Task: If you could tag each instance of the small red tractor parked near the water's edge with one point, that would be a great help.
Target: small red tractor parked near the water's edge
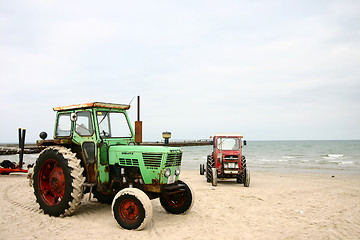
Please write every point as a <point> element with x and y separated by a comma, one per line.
<point>226,160</point>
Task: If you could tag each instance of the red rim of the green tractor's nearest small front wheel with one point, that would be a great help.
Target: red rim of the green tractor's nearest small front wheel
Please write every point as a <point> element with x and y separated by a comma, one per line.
<point>129,211</point>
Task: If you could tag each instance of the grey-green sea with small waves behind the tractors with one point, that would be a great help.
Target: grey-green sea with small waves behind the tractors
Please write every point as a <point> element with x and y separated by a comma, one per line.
<point>328,157</point>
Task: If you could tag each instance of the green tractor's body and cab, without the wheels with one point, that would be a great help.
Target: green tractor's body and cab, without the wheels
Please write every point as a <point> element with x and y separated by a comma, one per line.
<point>103,138</point>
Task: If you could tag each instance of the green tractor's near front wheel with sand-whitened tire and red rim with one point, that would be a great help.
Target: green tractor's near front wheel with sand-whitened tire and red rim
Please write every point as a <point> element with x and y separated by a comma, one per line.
<point>132,209</point>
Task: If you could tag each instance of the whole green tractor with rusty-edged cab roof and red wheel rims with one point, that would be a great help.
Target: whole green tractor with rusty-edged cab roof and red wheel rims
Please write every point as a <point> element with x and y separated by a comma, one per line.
<point>96,150</point>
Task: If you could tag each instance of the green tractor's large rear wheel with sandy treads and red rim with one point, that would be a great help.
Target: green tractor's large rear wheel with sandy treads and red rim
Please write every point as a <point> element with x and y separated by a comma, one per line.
<point>58,180</point>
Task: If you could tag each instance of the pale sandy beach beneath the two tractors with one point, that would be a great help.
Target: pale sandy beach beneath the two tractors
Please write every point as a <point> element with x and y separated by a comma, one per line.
<point>275,206</point>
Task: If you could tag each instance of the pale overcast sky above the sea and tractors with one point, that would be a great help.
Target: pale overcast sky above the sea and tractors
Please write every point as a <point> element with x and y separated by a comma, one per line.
<point>270,70</point>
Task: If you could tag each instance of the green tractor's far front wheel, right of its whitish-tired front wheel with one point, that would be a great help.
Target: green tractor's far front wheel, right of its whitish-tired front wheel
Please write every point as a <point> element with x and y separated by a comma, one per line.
<point>179,203</point>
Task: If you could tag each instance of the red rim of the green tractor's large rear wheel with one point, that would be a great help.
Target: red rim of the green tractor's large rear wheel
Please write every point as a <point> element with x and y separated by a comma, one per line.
<point>51,182</point>
